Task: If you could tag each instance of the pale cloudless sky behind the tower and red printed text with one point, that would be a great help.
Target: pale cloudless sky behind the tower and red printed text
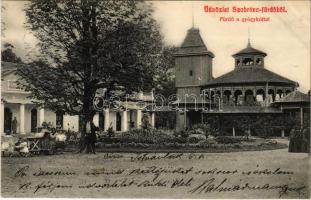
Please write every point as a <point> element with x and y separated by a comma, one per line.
<point>285,38</point>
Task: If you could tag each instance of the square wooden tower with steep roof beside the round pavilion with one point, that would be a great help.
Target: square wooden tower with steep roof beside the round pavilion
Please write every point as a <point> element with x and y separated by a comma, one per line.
<point>193,69</point>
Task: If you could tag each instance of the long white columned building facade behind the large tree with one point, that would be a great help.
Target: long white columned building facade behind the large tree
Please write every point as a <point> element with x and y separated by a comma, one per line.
<point>20,115</point>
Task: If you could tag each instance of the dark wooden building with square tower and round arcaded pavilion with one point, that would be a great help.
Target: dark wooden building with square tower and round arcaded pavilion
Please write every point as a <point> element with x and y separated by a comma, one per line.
<point>248,90</point>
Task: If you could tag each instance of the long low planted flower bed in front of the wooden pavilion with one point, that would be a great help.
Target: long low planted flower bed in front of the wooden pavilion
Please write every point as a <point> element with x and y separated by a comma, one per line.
<point>157,141</point>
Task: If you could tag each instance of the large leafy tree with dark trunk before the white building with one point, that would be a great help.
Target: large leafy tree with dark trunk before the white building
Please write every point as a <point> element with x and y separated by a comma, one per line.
<point>88,45</point>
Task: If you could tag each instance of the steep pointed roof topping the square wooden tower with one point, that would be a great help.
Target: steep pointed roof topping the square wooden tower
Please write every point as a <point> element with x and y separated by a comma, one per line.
<point>193,44</point>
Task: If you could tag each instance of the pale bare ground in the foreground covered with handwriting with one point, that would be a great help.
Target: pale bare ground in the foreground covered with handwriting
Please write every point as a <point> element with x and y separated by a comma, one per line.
<point>249,174</point>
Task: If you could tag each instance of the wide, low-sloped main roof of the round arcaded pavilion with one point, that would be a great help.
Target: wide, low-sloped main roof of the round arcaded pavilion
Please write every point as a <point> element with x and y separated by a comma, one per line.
<point>244,75</point>
